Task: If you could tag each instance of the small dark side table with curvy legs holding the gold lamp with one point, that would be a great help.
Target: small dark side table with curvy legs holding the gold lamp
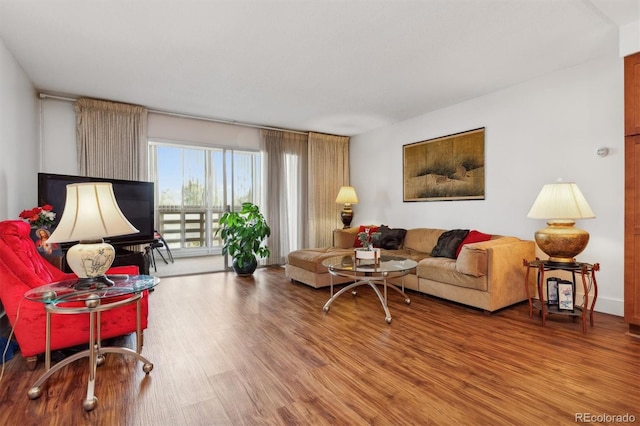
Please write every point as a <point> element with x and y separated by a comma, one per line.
<point>587,274</point>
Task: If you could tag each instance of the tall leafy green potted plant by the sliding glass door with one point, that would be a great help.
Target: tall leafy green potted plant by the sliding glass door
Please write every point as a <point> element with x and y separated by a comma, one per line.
<point>243,234</point>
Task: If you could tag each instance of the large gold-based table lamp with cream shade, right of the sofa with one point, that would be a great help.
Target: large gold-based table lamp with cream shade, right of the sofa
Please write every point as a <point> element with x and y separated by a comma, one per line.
<point>561,203</point>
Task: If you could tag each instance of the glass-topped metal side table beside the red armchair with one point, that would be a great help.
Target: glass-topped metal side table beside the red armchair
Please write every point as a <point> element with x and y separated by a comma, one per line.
<point>127,289</point>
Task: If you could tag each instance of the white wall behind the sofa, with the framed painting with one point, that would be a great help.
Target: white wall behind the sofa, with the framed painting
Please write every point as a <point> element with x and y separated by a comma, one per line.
<point>535,132</point>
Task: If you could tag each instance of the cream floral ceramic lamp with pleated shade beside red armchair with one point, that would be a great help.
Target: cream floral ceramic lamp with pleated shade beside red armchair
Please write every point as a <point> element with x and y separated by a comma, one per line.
<point>90,214</point>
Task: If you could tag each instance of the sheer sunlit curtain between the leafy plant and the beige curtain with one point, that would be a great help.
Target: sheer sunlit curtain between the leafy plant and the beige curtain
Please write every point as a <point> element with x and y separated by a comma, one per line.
<point>285,203</point>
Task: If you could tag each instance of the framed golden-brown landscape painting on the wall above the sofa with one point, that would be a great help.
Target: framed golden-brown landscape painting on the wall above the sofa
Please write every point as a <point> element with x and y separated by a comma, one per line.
<point>446,168</point>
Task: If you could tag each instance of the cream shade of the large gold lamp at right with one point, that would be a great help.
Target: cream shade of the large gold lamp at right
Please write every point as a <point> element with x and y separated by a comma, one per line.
<point>561,201</point>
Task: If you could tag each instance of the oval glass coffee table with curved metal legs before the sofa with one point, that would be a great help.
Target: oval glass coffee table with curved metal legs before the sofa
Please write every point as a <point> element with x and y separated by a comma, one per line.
<point>367,272</point>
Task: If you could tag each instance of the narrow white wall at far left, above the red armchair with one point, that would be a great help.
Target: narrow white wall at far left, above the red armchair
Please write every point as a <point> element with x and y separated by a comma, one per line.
<point>19,149</point>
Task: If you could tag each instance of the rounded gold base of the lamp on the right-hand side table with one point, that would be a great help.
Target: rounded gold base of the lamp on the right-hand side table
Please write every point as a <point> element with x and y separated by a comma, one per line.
<point>561,241</point>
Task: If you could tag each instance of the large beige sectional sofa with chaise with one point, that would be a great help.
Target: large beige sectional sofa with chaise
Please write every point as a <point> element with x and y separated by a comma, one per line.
<point>488,275</point>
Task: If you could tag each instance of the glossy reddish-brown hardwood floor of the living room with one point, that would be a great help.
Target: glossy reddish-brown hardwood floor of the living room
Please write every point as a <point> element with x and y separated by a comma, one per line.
<point>260,350</point>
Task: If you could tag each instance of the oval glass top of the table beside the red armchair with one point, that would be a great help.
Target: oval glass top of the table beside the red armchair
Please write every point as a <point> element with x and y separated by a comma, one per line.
<point>64,291</point>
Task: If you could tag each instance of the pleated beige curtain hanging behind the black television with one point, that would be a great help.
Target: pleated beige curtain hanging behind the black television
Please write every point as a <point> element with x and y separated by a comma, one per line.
<point>111,139</point>
